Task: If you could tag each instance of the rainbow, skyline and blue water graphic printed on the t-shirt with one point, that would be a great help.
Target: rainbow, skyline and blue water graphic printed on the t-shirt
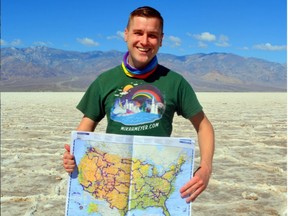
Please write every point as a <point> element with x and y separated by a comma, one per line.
<point>139,104</point>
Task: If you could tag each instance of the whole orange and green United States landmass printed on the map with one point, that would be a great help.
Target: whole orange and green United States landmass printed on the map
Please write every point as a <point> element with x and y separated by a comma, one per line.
<point>107,176</point>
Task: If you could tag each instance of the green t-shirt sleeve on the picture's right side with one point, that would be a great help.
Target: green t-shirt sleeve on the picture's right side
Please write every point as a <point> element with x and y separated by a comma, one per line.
<point>188,104</point>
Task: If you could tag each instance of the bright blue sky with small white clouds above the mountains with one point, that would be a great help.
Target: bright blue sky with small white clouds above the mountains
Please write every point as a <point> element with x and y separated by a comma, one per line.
<point>249,28</point>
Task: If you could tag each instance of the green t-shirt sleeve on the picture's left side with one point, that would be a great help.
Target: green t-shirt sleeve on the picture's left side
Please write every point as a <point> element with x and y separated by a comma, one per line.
<point>91,104</point>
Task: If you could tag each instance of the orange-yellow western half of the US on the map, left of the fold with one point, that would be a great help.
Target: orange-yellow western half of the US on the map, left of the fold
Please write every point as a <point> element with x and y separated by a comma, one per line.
<point>106,177</point>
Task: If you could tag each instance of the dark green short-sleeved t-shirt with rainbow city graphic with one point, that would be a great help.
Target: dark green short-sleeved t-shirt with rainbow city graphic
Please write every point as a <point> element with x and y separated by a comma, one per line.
<point>139,107</point>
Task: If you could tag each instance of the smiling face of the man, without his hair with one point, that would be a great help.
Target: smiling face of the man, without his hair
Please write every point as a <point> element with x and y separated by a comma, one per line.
<point>144,38</point>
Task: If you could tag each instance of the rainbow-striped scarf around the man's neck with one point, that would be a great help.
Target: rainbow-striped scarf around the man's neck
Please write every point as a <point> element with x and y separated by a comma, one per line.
<point>139,73</point>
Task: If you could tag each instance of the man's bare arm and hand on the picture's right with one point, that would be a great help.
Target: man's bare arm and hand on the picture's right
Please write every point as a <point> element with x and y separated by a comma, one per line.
<point>200,180</point>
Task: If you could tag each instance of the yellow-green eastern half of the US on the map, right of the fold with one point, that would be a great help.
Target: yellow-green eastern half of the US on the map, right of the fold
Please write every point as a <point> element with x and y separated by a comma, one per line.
<point>149,189</point>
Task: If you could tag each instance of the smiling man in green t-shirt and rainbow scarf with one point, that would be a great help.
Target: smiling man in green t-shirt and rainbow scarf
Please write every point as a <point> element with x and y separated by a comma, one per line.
<point>140,97</point>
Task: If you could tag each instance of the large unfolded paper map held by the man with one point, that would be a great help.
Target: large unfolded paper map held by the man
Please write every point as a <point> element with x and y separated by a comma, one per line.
<point>129,175</point>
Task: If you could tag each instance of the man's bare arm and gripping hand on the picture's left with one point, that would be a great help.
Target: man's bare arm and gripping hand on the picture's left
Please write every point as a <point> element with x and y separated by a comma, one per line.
<point>86,124</point>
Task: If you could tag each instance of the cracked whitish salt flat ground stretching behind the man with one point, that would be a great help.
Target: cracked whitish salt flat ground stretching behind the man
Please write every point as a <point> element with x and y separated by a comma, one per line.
<point>250,163</point>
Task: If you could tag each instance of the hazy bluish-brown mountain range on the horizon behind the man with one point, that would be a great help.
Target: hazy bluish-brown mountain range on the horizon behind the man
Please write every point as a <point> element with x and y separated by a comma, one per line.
<point>47,69</point>
